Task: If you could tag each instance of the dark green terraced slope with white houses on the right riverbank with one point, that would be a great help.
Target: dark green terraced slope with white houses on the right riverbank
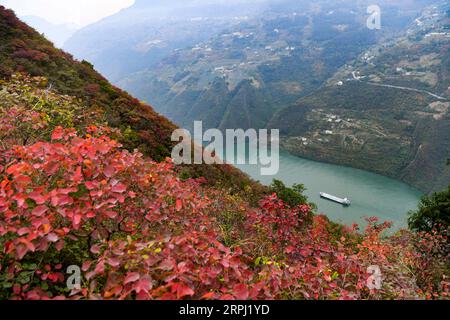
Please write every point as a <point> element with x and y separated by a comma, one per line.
<point>404,142</point>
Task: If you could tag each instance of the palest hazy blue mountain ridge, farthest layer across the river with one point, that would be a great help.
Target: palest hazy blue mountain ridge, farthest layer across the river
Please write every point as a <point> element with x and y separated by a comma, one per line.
<point>138,37</point>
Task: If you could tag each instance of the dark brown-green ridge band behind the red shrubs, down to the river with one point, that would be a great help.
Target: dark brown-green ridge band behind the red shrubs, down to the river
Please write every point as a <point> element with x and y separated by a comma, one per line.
<point>24,50</point>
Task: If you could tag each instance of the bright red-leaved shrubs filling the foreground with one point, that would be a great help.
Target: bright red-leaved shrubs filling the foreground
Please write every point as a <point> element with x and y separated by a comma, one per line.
<point>149,235</point>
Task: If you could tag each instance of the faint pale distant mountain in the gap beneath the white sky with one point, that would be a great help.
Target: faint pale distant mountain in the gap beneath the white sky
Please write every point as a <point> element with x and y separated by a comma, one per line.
<point>57,33</point>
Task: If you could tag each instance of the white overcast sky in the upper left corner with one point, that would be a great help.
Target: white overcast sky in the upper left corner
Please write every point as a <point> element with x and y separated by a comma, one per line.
<point>75,12</point>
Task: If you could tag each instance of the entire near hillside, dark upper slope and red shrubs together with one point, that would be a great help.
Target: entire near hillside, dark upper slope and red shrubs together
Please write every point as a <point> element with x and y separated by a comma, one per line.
<point>75,192</point>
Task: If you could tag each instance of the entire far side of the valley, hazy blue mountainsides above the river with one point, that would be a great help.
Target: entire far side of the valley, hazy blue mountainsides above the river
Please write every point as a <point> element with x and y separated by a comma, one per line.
<point>340,93</point>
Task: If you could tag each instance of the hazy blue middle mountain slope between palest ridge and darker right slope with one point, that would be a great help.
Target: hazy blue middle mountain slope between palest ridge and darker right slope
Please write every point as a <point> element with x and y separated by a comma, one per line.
<point>242,76</point>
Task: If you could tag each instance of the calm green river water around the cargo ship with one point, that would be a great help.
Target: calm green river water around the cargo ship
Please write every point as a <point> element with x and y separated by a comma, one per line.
<point>371,194</point>
